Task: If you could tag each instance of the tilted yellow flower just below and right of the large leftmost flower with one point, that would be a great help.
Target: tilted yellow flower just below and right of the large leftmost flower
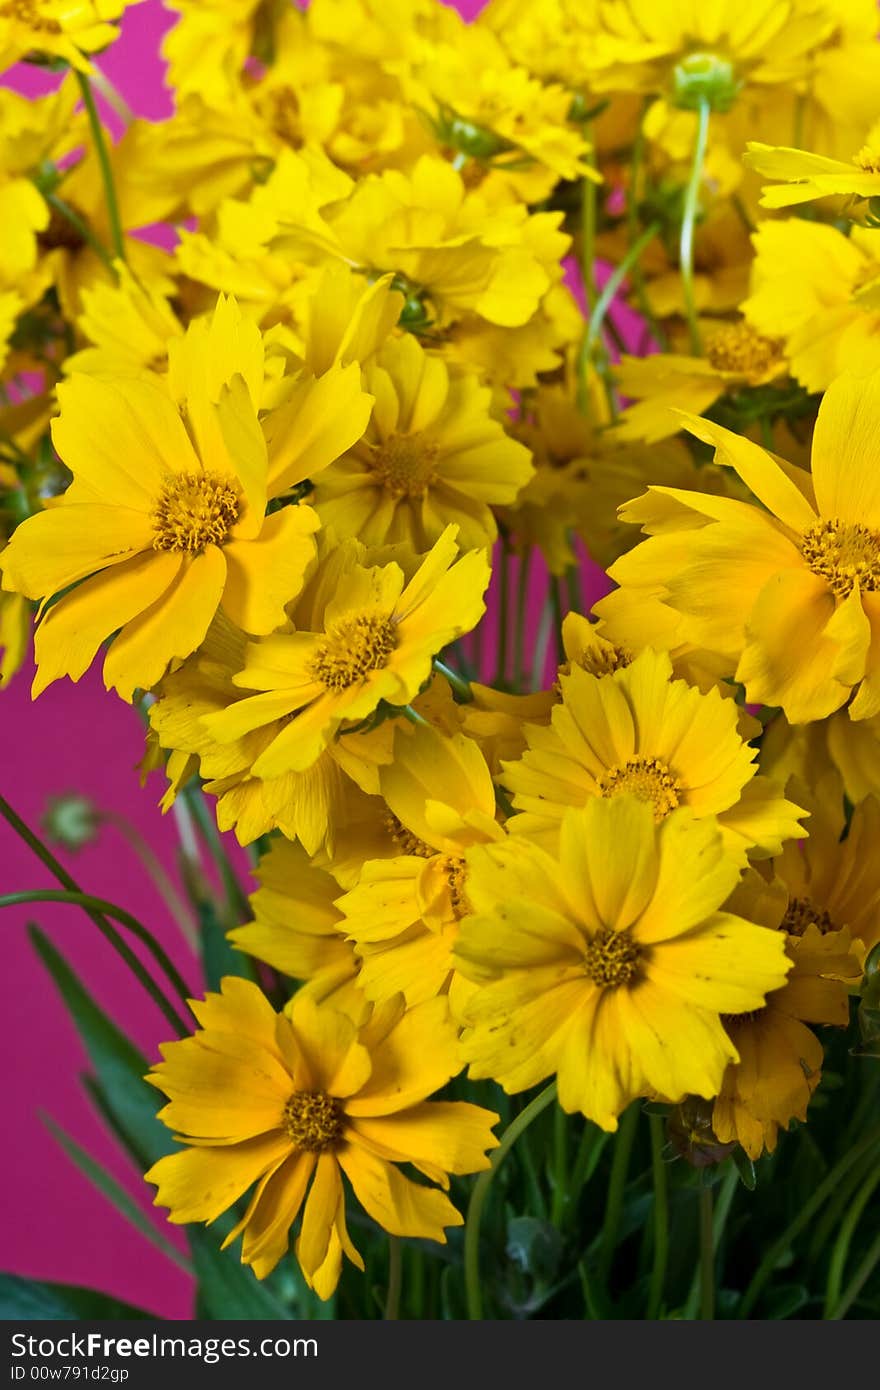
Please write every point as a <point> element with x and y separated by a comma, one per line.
<point>377,641</point>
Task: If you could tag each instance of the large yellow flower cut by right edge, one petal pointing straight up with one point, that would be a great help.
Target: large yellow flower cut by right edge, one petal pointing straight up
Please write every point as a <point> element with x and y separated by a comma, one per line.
<point>785,591</point>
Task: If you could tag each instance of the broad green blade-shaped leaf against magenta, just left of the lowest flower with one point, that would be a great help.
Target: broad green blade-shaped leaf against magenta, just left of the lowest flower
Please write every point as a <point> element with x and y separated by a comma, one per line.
<point>119,1065</point>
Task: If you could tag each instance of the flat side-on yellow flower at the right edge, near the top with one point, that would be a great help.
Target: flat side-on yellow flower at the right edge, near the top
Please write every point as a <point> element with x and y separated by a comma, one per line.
<point>807,176</point>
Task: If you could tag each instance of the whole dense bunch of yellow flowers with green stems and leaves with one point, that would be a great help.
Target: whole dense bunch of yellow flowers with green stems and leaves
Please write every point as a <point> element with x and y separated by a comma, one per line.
<point>562,957</point>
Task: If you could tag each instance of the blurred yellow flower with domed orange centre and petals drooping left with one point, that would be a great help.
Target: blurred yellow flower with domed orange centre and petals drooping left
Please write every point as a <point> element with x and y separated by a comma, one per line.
<point>736,357</point>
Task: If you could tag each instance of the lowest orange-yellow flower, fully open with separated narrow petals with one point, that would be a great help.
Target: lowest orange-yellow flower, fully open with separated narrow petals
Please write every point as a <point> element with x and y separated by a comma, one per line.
<point>291,1103</point>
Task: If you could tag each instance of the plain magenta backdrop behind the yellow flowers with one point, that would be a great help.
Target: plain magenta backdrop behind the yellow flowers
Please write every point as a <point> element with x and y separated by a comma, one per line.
<point>80,739</point>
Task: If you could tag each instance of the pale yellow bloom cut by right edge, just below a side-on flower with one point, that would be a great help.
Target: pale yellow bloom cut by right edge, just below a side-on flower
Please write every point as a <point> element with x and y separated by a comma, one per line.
<point>818,291</point>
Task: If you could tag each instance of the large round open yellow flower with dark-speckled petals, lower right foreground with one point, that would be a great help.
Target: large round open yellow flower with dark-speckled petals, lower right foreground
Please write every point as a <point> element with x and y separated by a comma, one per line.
<point>611,963</point>
